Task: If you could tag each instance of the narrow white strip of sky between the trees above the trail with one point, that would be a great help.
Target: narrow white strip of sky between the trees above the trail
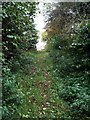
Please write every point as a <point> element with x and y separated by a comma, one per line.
<point>40,24</point>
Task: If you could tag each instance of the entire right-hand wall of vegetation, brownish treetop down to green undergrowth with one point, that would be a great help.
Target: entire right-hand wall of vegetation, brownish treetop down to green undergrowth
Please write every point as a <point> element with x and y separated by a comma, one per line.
<point>69,49</point>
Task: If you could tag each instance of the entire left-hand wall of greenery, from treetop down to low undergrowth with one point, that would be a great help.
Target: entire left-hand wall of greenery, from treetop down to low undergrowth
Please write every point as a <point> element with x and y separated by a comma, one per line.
<point>18,35</point>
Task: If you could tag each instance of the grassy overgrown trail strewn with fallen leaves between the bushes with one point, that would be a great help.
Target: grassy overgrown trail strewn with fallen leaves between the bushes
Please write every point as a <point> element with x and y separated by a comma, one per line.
<point>38,87</point>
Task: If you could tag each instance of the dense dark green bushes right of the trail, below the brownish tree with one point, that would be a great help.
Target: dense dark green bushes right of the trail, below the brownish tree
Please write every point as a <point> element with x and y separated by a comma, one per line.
<point>71,62</point>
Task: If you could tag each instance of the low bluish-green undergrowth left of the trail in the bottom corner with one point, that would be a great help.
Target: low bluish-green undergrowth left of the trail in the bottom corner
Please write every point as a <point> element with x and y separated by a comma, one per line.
<point>12,96</point>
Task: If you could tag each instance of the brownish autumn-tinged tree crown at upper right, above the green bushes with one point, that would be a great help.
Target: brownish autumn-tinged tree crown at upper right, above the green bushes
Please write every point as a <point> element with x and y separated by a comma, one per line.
<point>65,17</point>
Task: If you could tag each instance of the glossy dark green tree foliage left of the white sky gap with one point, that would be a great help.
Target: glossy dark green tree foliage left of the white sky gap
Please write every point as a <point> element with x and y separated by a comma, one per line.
<point>18,28</point>
